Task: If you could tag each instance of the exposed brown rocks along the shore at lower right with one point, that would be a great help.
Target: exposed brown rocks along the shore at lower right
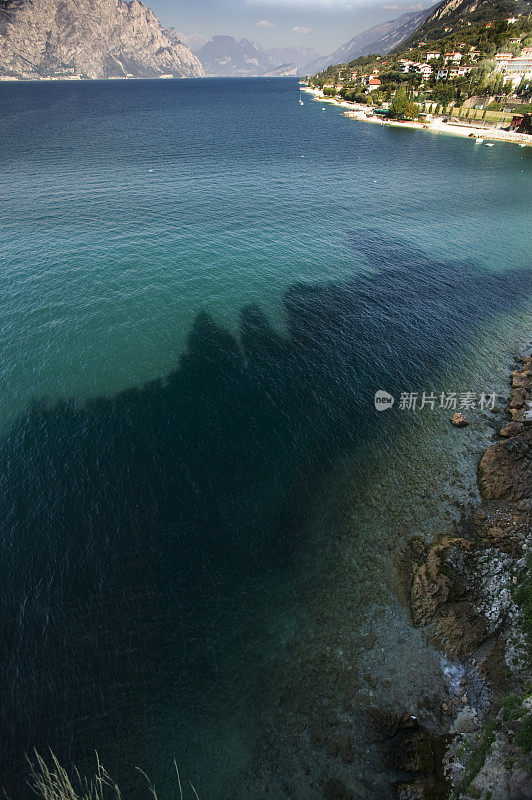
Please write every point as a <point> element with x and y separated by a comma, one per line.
<point>470,592</point>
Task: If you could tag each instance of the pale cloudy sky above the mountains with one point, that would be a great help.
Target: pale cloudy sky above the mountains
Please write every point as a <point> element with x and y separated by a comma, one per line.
<point>321,24</point>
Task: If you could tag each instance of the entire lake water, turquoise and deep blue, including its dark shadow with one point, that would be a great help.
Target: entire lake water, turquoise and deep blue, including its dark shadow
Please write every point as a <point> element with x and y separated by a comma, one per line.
<point>203,284</point>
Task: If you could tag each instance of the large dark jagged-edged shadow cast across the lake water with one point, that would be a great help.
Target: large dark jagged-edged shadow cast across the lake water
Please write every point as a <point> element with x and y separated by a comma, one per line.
<point>134,525</point>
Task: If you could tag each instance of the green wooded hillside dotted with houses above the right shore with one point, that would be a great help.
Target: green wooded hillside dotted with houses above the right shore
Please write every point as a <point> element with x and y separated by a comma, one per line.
<point>471,38</point>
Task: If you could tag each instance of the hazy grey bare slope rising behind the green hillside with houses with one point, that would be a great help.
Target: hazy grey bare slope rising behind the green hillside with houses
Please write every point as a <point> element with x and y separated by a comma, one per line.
<point>378,39</point>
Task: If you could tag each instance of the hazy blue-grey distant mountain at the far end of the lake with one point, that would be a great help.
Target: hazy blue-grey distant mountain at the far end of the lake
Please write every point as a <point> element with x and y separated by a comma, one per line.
<point>227,56</point>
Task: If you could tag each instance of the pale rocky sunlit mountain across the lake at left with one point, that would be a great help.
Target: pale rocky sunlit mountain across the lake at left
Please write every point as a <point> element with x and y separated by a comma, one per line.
<point>88,38</point>
